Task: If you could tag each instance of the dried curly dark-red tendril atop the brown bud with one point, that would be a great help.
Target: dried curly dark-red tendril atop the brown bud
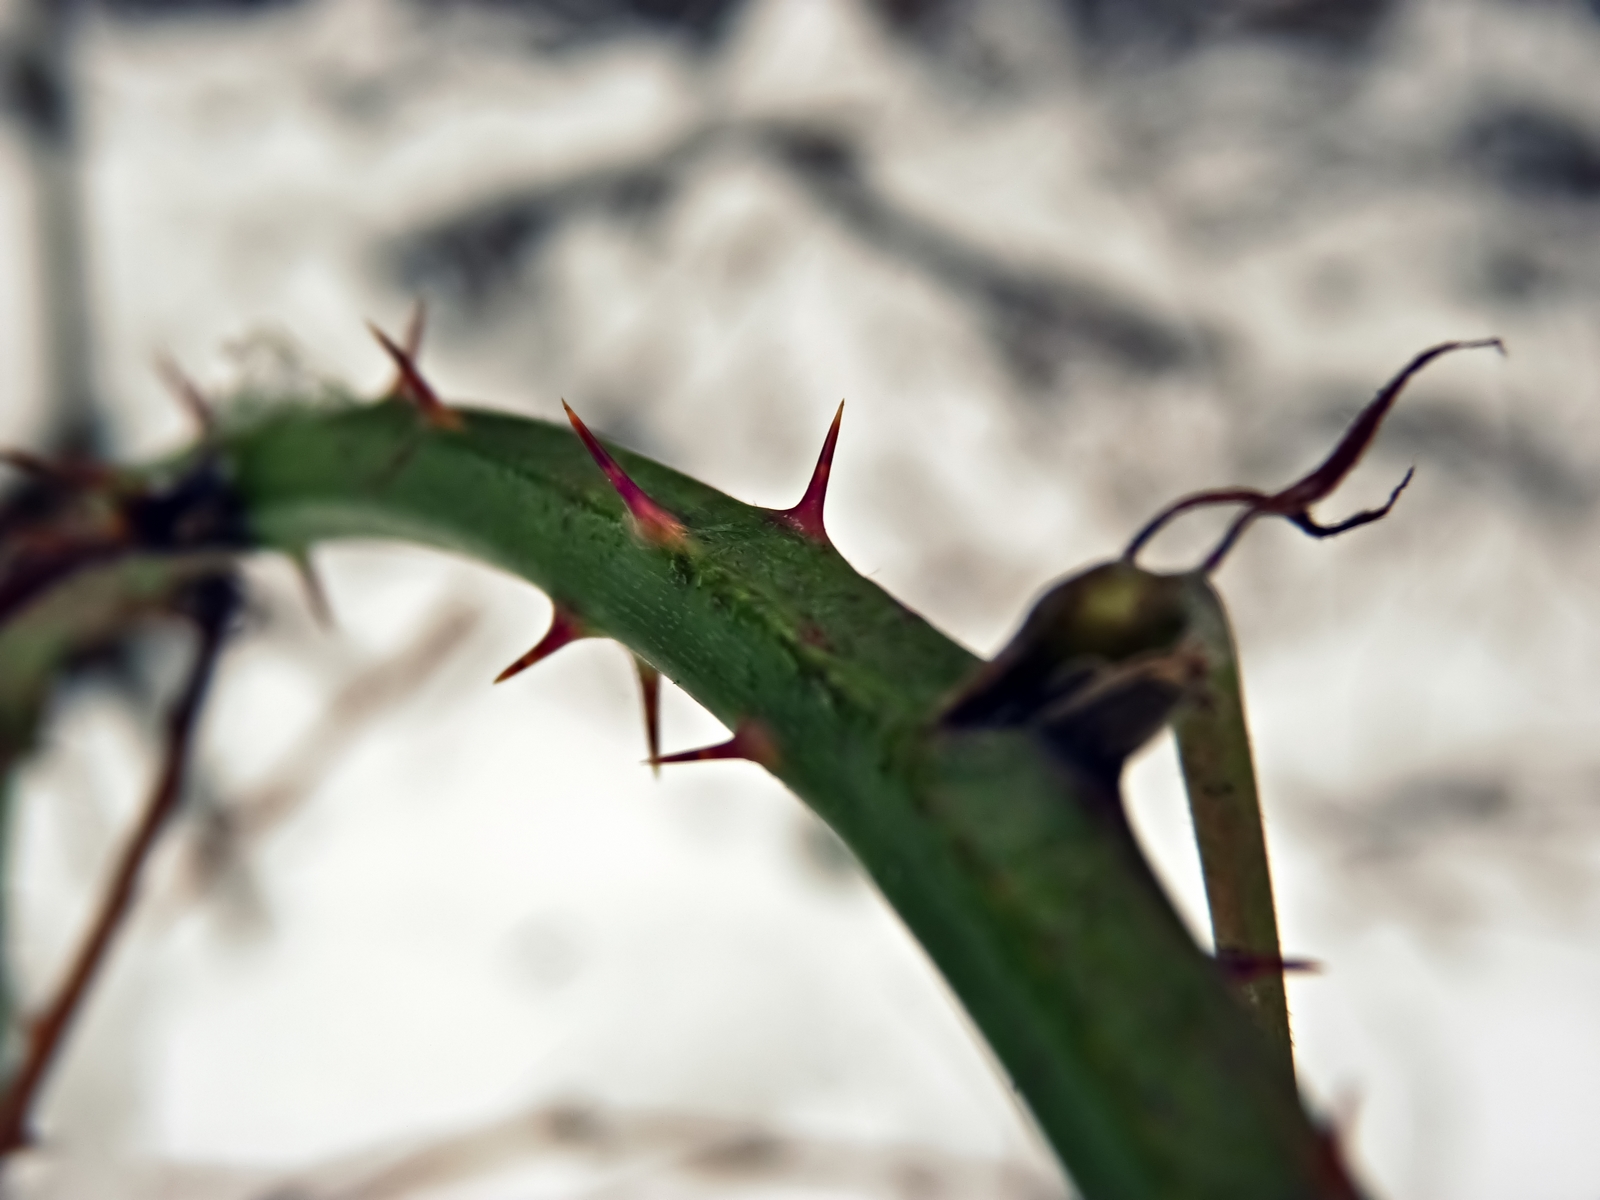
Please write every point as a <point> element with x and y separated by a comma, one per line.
<point>1294,503</point>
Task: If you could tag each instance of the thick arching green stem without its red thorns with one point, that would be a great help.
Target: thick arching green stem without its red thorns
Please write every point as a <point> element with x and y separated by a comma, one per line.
<point>1143,1071</point>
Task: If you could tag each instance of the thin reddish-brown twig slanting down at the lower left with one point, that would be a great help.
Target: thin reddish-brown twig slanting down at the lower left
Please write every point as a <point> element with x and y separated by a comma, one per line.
<point>217,599</point>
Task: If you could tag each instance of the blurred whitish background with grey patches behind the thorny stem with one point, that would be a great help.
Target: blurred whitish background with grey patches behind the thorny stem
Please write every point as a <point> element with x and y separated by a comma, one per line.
<point>1065,260</point>
